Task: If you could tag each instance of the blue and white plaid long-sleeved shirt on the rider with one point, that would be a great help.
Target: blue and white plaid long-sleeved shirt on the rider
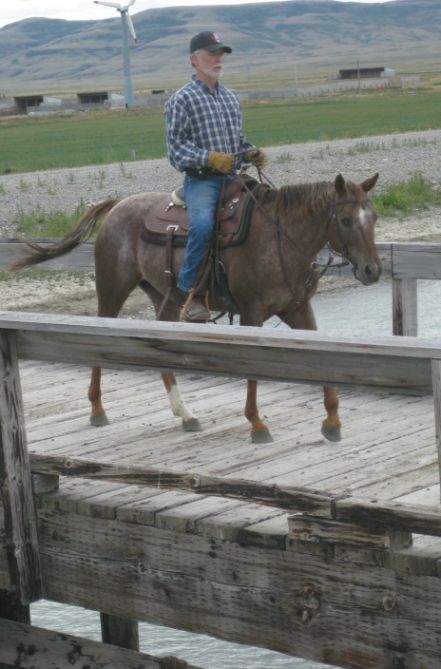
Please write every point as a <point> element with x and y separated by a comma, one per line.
<point>198,121</point>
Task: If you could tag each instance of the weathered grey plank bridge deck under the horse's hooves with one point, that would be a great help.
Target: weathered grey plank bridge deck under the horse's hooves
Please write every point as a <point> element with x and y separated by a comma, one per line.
<point>388,450</point>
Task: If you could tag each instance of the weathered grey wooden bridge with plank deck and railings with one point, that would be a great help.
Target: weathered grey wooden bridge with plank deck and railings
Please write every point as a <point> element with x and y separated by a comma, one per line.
<point>330,552</point>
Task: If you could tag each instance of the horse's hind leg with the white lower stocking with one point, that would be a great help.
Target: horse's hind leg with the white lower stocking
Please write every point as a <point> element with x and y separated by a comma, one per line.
<point>171,313</point>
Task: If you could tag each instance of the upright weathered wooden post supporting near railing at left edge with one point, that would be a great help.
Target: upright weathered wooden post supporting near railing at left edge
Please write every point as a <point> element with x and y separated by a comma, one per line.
<point>20,534</point>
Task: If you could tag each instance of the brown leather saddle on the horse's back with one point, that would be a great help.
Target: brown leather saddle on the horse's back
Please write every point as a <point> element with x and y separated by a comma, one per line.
<point>167,225</point>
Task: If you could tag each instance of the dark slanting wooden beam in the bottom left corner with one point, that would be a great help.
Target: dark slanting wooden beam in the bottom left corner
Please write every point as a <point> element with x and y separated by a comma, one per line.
<point>33,647</point>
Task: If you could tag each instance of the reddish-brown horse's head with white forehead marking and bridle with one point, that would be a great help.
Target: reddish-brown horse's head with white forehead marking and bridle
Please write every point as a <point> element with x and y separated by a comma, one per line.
<point>351,225</point>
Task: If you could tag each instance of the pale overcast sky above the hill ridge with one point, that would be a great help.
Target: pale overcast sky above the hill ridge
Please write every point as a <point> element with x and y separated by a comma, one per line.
<point>16,10</point>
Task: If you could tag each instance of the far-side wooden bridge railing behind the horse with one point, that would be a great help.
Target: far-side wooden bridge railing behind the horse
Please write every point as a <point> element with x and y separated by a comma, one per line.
<point>405,263</point>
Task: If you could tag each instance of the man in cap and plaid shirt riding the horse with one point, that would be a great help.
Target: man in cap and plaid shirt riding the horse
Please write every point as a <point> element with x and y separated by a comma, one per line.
<point>204,137</point>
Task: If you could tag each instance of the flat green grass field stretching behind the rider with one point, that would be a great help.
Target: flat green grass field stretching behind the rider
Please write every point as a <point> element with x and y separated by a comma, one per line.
<point>38,143</point>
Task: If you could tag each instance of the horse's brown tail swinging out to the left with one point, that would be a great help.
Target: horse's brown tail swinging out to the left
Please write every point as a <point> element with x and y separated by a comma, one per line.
<point>82,231</point>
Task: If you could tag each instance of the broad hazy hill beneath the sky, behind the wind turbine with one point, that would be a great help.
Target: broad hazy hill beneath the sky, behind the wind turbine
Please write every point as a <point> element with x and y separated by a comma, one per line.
<point>272,41</point>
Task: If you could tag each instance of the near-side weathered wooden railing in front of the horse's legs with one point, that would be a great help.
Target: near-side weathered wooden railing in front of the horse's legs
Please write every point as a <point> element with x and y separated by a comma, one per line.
<point>301,356</point>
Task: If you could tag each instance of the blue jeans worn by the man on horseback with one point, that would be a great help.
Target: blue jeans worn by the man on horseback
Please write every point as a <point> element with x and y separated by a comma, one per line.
<point>201,196</point>
